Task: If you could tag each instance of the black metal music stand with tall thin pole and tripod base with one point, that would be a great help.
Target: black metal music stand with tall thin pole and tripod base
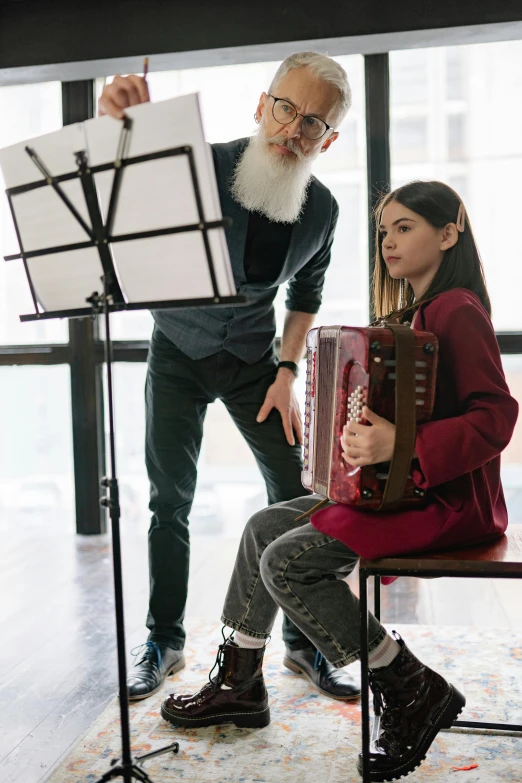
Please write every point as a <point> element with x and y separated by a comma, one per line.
<point>108,300</point>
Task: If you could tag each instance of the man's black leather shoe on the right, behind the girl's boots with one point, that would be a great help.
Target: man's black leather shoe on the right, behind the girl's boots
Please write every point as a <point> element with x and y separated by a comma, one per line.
<point>332,682</point>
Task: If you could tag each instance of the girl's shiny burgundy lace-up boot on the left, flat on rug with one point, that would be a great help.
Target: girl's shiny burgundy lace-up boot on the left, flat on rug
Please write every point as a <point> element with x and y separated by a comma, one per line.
<point>237,694</point>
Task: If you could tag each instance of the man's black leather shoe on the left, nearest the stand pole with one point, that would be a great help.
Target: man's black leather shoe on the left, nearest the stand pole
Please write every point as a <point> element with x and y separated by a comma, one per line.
<point>154,663</point>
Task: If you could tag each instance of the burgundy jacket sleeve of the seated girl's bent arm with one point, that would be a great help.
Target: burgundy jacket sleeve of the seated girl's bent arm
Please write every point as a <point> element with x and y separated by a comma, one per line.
<point>450,448</point>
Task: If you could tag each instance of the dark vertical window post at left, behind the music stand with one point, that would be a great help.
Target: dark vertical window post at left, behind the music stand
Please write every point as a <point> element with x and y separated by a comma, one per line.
<point>86,371</point>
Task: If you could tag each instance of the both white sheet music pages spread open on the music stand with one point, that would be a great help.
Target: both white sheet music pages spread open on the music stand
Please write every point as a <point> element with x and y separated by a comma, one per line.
<point>153,195</point>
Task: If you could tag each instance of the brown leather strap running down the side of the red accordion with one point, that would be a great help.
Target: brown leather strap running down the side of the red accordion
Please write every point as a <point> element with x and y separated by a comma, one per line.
<point>405,415</point>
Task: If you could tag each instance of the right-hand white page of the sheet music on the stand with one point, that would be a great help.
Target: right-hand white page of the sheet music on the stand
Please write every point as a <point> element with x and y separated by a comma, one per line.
<point>159,194</point>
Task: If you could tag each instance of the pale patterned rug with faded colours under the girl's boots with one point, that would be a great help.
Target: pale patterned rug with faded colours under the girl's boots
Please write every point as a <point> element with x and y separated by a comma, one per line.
<point>313,739</point>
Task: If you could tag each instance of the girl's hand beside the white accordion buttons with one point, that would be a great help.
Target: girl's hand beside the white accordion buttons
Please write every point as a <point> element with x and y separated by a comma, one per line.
<point>364,445</point>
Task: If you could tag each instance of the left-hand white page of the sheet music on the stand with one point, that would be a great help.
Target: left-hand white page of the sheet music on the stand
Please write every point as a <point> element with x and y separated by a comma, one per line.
<point>60,280</point>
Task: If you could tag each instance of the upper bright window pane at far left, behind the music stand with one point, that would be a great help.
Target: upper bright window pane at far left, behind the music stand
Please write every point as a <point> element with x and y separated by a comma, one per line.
<point>32,110</point>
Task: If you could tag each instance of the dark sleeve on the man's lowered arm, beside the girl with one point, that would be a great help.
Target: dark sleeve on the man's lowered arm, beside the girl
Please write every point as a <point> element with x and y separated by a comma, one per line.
<point>305,289</point>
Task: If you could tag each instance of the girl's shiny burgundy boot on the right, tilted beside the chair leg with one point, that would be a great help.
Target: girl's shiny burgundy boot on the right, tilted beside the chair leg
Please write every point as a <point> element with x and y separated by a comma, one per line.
<point>416,703</point>
